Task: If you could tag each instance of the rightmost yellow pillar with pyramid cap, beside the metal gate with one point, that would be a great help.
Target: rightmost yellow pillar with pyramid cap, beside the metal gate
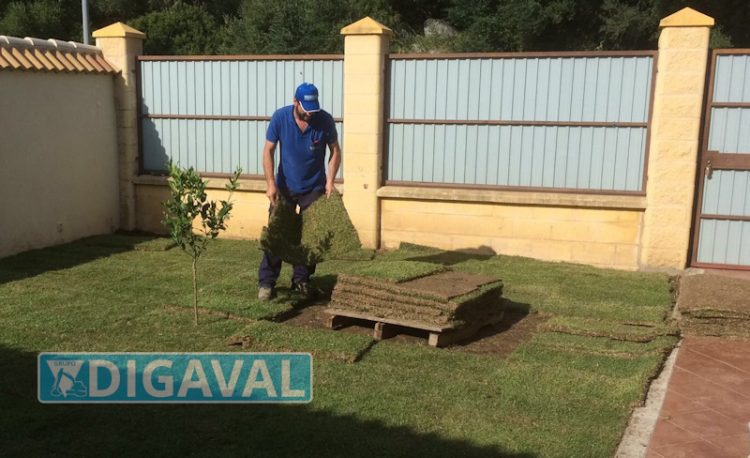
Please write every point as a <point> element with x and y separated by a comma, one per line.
<point>675,139</point>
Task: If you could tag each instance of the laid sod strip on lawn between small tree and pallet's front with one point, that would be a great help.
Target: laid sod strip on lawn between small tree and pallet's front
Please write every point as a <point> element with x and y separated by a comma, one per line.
<point>276,337</point>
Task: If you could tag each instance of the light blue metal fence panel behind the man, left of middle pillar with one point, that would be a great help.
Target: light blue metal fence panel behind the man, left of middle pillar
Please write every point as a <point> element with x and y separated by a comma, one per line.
<point>192,110</point>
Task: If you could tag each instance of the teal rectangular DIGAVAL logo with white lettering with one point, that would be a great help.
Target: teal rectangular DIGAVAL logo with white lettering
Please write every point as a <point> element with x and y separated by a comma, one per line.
<point>174,377</point>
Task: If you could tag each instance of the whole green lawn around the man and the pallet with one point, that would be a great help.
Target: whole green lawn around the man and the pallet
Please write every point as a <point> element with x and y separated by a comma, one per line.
<point>568,391</point>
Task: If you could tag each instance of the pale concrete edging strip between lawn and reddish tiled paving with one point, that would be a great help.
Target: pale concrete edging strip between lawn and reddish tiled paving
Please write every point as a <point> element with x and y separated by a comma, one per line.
<point>641,425</point>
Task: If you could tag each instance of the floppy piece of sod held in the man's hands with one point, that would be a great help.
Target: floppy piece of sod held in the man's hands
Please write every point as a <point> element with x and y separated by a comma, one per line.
<point>323,231</point>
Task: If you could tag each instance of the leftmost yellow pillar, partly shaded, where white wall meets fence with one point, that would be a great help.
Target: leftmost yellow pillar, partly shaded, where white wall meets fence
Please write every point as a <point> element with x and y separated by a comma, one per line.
<point>120,44</point>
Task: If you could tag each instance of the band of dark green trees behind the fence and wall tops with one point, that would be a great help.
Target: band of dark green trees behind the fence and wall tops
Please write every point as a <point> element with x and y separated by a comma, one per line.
<point>312,26</point>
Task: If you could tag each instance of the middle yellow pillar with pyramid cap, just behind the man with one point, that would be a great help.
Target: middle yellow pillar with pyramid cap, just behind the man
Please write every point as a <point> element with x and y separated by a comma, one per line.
<point>366,45</point>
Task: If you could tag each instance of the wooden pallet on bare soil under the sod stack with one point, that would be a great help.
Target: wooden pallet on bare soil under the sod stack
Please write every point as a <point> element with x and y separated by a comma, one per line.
<point>385,328</point>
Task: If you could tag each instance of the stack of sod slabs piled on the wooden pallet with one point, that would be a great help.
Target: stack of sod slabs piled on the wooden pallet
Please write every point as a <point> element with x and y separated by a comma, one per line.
<point>418,293</point>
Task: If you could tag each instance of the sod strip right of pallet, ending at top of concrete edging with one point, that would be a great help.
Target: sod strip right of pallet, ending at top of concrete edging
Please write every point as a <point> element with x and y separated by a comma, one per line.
<point>604,345</point>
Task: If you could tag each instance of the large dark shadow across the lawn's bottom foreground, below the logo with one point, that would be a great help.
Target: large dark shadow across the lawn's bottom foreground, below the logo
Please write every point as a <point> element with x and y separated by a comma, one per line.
<point>30,428</point>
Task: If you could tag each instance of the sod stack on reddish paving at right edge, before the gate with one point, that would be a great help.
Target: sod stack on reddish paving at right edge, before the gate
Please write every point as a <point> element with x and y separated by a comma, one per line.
<point>714,305</point>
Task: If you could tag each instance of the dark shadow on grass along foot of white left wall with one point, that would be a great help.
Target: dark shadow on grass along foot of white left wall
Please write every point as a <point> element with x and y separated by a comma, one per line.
<point>60,257</point>
